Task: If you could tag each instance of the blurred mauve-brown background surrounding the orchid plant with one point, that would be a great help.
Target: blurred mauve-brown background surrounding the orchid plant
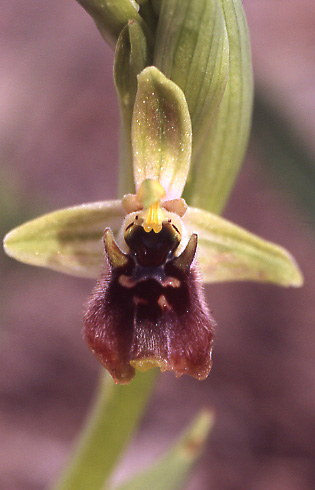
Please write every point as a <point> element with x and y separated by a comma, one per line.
<point>59,147</point>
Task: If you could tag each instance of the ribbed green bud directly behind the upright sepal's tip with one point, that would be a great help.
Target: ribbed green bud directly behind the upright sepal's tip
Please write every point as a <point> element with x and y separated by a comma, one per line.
<point>192,50</point>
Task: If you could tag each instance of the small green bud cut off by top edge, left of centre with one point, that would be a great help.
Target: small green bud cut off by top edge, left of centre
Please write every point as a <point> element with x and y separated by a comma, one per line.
<point>112,16</point>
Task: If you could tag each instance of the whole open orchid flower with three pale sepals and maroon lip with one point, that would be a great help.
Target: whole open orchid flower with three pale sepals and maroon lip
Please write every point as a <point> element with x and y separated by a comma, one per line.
<point>148,307</point>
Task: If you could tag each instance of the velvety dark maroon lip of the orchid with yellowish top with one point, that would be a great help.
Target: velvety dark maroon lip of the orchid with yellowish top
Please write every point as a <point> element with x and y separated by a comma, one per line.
<point>148,307</point>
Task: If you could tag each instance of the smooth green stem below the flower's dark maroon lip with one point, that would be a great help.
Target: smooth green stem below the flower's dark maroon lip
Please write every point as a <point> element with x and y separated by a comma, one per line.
<point>109,428</point>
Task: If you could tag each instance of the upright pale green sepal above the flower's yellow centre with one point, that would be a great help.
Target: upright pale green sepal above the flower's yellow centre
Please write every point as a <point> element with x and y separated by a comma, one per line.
<point>161,133</point>
